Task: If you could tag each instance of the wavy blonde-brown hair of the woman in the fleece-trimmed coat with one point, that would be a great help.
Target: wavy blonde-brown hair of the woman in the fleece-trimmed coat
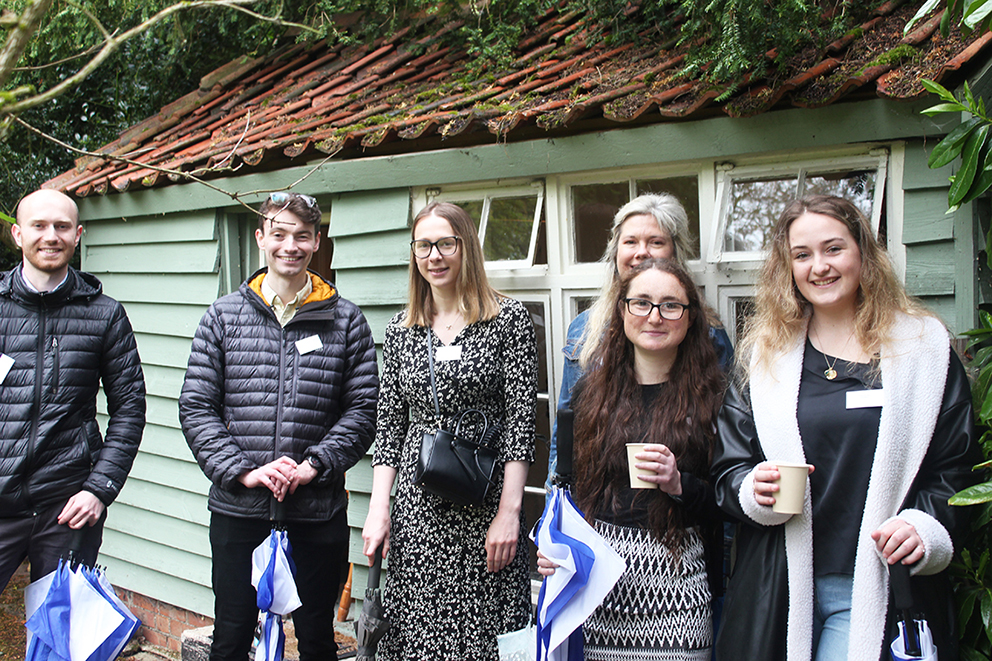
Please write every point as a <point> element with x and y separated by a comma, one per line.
<point>781,312</point>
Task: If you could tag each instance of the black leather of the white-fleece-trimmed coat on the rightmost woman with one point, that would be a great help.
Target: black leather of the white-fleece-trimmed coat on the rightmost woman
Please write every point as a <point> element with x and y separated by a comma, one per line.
<point>755,613</point>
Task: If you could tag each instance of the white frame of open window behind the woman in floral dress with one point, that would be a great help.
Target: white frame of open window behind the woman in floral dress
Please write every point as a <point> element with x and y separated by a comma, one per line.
<point>486,193</point>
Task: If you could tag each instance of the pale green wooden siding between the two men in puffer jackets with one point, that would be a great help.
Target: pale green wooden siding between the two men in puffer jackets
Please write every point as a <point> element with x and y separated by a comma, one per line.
<point>163,269</point>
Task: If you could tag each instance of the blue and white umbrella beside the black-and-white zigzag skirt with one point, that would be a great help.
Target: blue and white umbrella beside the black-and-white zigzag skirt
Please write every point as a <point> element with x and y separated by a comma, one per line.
<point>588,567</point>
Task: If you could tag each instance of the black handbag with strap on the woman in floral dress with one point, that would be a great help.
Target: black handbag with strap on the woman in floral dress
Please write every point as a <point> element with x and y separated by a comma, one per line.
<point>451,465</point>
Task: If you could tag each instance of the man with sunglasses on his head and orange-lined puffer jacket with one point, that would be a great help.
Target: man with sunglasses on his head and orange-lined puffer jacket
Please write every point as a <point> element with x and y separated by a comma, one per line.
<point>279,401</point>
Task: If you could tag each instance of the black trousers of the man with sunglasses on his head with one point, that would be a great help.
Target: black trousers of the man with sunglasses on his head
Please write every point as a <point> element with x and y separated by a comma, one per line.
<point>319,549</point>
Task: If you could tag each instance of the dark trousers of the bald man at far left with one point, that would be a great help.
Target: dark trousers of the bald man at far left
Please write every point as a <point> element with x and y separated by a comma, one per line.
<point>42,540</point>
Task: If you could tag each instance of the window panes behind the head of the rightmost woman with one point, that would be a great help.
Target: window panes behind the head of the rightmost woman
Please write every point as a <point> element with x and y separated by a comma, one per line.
<point>756,204</point>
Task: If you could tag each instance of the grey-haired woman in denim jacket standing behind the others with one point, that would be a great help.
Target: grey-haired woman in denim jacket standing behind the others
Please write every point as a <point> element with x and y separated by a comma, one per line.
<point>651,226</point>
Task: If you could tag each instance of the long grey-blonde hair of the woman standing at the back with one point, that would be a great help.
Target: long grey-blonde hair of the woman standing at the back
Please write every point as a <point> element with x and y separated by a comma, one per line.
<point>672,219</point>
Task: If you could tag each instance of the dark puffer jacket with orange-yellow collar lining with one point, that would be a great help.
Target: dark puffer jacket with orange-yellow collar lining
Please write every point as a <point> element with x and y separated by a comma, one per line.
<point>251,396</point>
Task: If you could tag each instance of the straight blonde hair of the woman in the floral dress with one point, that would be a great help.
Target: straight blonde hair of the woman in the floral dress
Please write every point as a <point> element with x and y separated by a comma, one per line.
<point>477,300</point>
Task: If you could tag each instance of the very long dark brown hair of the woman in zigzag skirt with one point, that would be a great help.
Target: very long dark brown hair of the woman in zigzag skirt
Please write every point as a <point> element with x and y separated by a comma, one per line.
<point>610,411</point>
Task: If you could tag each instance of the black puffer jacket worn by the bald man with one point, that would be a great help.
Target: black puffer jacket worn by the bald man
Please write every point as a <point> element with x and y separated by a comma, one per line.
<point>63,343</point>
